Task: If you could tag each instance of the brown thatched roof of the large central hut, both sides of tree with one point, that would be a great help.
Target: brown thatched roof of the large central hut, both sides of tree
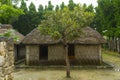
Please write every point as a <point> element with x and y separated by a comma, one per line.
<point>89,36</point>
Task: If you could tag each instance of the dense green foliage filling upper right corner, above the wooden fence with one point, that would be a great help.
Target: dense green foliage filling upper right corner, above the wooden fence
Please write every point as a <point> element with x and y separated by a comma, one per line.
<point>107,19</point>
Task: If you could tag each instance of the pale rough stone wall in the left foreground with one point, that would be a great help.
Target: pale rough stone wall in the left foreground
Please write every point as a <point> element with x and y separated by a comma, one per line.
<point>6,59</point>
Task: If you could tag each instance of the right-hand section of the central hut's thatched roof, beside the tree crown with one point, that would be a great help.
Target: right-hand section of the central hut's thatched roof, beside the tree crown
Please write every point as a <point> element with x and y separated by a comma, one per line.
<point>90,36</point>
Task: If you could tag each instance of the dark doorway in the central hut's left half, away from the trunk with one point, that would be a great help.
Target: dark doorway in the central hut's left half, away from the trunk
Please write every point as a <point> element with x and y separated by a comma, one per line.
<point>43,55</point>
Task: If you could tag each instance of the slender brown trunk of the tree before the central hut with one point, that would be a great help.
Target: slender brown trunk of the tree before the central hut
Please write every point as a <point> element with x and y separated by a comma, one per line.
<point>67,59</point>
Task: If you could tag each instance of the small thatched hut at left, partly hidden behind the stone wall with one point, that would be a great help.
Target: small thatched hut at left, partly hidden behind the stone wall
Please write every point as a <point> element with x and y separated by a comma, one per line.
<point>18,48</point>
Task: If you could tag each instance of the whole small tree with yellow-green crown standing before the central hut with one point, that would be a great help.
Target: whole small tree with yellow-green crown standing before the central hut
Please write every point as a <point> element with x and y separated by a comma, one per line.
<point>66,25</point>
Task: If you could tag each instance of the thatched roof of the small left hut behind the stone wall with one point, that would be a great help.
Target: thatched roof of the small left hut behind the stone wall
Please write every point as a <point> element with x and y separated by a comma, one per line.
<point>5,27</point>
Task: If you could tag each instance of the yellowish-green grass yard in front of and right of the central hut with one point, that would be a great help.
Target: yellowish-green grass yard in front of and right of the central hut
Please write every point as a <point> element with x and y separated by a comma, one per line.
<point>77,74</point>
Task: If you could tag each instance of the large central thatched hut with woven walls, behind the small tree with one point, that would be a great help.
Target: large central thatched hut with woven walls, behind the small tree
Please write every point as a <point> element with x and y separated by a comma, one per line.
<point>84,50</point>
